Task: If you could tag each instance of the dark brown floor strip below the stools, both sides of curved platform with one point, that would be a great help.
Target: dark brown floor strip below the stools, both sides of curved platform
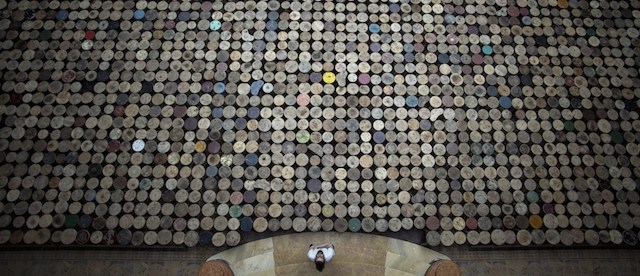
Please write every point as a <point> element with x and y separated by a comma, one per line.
<point>539,261</point>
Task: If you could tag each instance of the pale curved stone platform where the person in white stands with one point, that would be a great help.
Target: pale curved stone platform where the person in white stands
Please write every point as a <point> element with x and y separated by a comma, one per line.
<point>356,254</point>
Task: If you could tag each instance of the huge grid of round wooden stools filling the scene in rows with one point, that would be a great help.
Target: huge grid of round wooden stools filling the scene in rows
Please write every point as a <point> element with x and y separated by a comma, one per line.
<point>183,123</point>
